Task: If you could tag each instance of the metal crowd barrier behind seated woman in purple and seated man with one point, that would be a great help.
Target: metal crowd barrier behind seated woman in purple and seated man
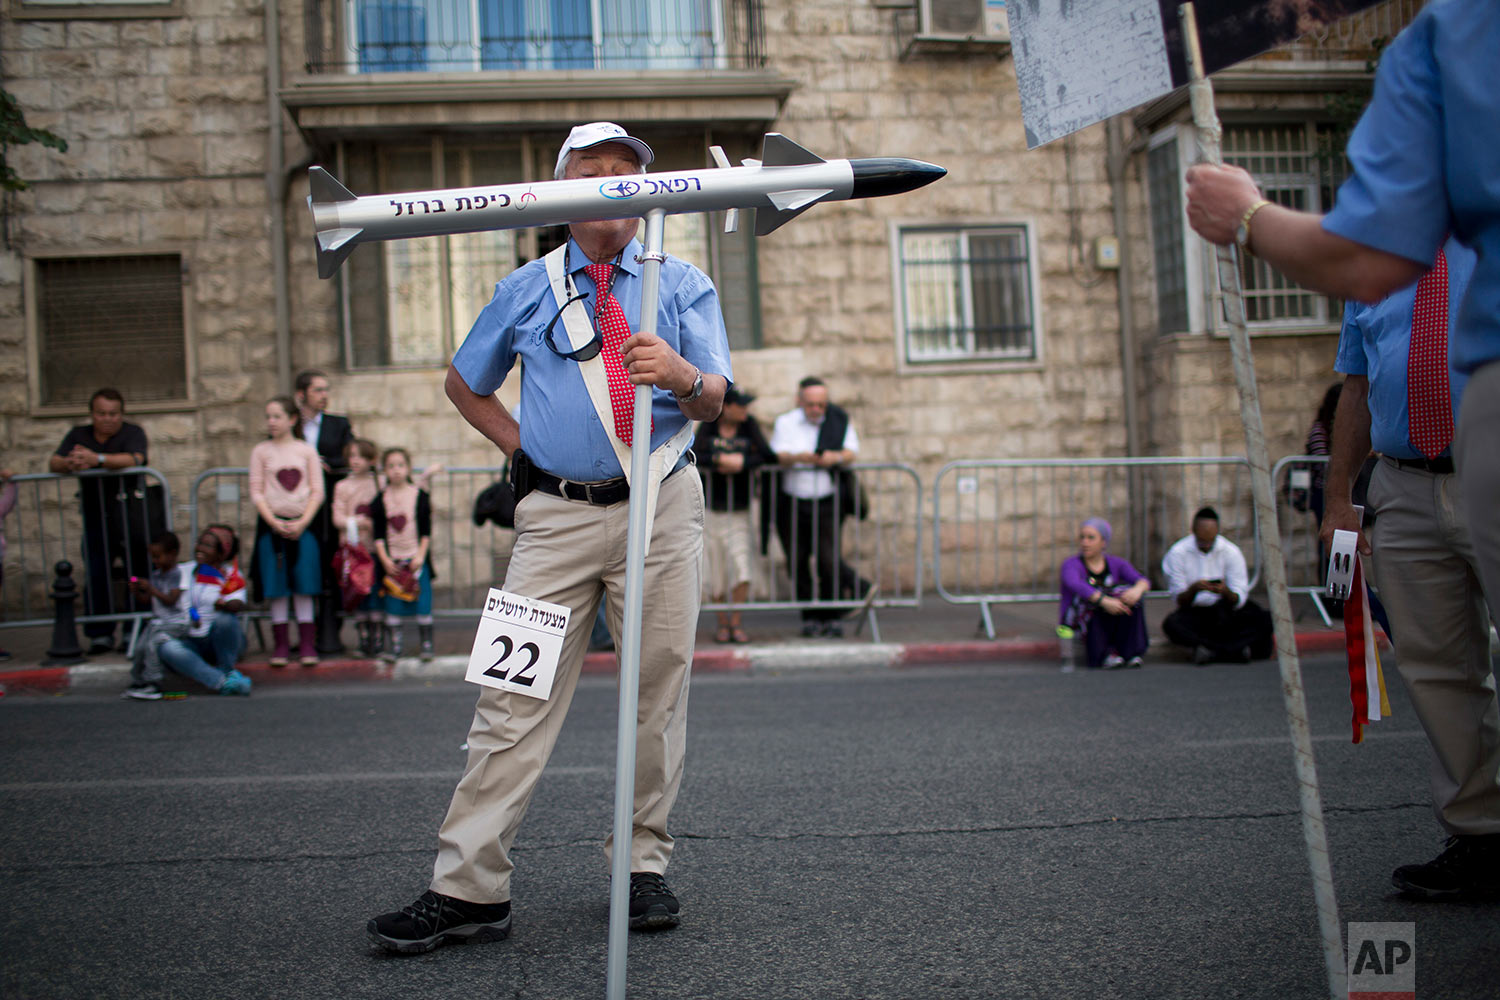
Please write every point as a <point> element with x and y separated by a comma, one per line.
<point>1003,527</point>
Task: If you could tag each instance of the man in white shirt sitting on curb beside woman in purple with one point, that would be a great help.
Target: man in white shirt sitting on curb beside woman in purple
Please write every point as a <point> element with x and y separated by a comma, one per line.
<point>1214,617</point>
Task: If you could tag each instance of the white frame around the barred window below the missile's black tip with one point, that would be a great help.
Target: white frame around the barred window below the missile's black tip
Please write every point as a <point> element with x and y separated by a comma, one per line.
<point>967,365</point>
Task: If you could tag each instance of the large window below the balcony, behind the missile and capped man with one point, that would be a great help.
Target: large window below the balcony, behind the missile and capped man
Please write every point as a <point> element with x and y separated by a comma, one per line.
<point>410,304</point>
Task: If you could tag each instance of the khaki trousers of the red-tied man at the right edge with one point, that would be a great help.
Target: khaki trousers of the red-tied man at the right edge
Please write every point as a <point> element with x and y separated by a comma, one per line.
<point>1430,585</point>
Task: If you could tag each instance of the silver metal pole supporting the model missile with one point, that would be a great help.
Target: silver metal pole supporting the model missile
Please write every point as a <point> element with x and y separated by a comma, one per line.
<point>631,641</point>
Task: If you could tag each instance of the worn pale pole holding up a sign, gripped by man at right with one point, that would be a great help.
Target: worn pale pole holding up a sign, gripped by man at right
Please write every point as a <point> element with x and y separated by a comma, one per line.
<point>1292,695</point>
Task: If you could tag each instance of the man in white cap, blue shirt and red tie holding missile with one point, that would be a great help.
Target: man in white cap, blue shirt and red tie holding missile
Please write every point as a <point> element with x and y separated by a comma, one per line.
<point>566,319</point>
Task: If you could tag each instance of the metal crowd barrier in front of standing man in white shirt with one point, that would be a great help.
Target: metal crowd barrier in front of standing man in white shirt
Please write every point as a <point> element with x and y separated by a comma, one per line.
<point>877,531</point>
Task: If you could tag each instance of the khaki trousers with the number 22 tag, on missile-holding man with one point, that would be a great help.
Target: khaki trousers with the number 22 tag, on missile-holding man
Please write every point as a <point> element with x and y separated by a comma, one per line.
<point>574,554</point>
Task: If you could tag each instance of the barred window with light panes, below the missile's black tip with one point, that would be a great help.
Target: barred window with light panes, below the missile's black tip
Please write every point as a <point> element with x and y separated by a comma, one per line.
<point>967,295</point>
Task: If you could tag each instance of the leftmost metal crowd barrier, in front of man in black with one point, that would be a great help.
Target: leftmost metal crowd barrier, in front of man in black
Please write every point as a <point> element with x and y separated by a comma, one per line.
<point>106,546</point>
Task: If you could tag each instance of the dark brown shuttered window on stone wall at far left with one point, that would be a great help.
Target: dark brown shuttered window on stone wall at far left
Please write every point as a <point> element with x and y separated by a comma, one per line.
<point>110,322</point>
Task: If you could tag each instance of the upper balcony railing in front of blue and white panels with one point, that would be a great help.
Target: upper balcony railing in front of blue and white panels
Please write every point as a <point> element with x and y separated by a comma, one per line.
<point>389,37</point>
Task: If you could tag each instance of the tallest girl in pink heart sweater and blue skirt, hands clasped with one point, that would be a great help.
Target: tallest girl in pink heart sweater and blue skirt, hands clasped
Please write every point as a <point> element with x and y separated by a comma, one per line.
<point>287,491</point>
